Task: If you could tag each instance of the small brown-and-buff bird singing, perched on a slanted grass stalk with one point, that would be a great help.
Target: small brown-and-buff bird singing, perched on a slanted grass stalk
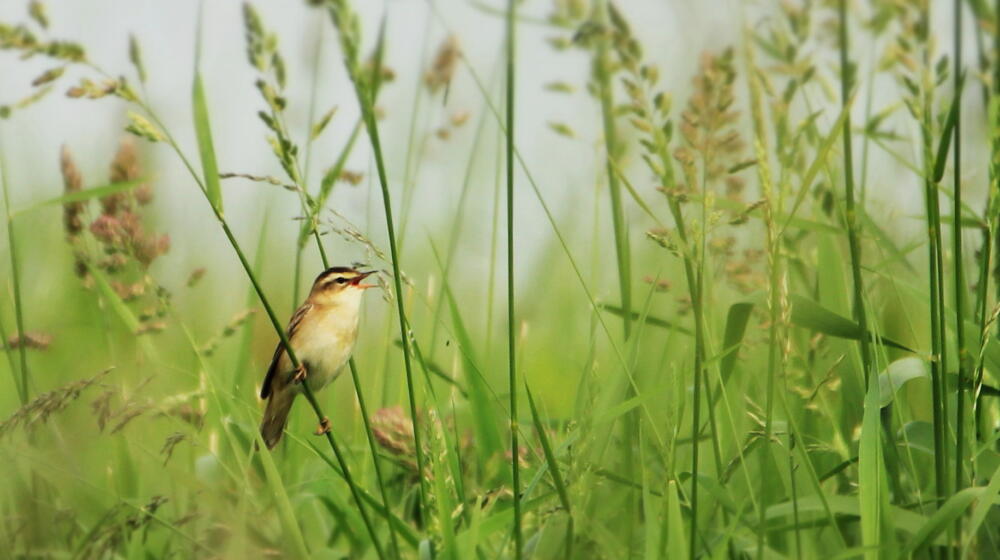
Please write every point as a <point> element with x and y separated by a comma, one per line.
<point>322,333</point>
